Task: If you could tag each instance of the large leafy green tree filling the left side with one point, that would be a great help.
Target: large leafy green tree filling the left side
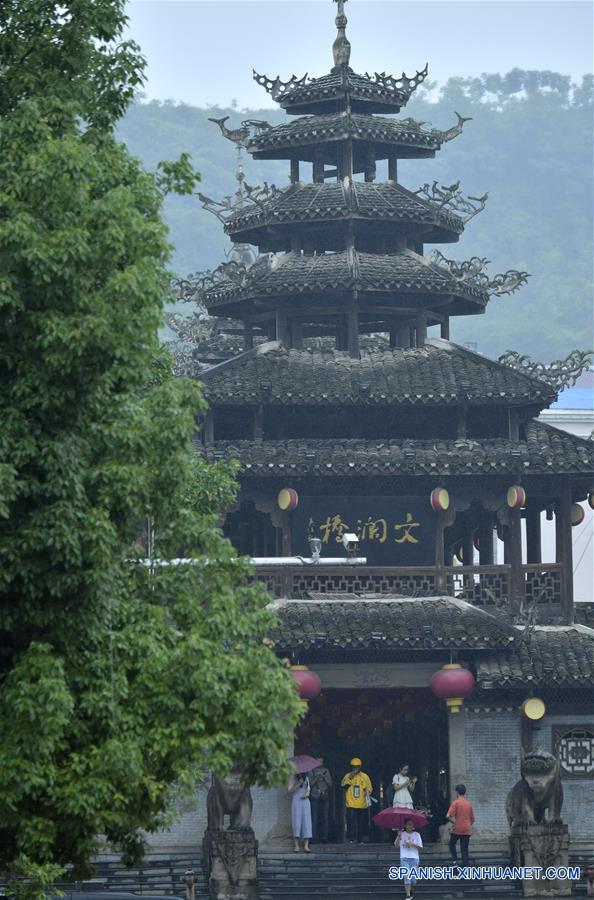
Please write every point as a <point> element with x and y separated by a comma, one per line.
<point>116,681</point>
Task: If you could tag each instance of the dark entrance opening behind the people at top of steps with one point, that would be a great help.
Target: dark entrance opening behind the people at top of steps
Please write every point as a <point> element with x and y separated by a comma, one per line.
<point>386,728</point>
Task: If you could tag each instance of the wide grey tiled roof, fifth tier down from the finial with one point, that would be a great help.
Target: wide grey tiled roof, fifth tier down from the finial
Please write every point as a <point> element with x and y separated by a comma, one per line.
<point>441,373</point>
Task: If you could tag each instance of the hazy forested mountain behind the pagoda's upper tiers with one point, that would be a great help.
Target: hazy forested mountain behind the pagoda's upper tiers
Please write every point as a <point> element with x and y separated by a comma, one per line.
<point>529,145</point>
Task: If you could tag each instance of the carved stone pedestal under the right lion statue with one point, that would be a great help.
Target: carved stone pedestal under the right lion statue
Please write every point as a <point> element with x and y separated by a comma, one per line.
<point>543,846</point>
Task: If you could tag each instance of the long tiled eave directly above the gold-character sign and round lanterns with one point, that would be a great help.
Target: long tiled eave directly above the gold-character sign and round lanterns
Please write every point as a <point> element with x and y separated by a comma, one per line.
<point>546,451</point>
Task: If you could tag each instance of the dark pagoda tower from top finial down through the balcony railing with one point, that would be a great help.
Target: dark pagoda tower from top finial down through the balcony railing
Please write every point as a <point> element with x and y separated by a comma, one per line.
<point>349,408</point>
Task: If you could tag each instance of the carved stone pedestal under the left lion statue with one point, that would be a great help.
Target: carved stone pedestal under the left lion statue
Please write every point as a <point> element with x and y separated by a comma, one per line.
<point>231,864</point>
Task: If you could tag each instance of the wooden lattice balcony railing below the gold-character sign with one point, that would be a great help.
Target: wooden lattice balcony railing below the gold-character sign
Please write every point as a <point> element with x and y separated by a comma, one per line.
<point>485,586</point>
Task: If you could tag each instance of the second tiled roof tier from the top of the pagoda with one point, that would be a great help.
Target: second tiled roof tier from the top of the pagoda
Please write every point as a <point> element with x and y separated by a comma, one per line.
<point>405,134</point>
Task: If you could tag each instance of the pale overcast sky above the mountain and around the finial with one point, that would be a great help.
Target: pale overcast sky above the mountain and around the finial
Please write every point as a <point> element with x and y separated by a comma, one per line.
<point>203,51</point>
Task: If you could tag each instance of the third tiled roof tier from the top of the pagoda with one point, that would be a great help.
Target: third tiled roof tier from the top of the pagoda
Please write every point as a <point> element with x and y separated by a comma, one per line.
<point>320,202</point>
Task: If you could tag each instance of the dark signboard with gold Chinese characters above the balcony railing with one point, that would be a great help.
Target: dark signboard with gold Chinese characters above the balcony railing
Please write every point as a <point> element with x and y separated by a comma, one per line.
<point>393,531</point>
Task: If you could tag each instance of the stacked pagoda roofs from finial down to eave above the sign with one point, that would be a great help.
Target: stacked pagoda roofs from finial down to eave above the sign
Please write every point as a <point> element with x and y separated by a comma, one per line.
<point>338,375</point>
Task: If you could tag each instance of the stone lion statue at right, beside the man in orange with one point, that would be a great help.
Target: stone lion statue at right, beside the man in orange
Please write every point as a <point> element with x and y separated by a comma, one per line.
<point>537,792</point>
